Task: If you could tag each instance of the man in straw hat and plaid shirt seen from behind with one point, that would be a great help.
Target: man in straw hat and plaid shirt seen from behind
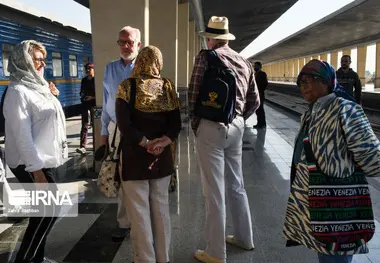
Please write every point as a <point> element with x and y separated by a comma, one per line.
<point>219,147</point>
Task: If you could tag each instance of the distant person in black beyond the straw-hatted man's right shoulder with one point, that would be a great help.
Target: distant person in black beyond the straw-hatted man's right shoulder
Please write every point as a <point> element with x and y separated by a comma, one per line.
<point>262,83</point>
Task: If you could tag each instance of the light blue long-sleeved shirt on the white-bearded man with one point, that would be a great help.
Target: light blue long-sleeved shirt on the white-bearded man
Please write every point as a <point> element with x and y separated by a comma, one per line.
<point>114,74</point>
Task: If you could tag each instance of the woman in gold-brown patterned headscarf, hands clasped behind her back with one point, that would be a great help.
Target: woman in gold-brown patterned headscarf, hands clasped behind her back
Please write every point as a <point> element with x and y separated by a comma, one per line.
<point>148,116</point>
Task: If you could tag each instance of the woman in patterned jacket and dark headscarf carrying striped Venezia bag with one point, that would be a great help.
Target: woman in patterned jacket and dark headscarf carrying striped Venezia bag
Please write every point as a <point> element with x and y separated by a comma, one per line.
<point>329,208</point>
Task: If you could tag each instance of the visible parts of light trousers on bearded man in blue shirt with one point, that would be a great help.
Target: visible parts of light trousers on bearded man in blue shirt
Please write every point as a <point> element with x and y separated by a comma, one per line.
<point>122,217</point>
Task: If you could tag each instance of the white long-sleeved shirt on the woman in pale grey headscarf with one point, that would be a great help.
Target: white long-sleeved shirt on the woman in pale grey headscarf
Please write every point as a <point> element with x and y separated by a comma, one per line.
<point>31,130</point>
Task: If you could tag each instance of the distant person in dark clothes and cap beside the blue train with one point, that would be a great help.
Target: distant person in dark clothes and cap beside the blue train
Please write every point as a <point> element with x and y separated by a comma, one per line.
<point>87,94</point>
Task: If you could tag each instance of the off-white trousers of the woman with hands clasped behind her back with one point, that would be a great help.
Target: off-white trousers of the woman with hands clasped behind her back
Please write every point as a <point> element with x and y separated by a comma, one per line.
<point>148,206</point>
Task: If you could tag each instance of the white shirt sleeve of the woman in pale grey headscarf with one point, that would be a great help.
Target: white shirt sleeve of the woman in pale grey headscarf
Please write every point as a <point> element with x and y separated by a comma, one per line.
<point>18,119</point>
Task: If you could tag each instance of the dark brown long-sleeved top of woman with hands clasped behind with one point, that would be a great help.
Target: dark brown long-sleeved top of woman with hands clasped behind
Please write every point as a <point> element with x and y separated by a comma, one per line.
<point>135,124</point>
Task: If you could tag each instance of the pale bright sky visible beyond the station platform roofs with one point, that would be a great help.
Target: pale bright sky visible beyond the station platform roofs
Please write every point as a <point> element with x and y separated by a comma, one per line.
<point>302,14</point>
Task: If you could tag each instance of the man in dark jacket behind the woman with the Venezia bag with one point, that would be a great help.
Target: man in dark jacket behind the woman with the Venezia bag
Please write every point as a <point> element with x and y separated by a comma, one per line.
<point>349,79</point>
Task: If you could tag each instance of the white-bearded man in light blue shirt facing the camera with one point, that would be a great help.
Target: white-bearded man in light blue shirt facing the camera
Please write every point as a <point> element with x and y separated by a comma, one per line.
<point>129,41</point>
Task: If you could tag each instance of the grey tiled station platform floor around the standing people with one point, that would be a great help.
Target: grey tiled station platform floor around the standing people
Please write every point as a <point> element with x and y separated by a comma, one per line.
<point>267,157</point>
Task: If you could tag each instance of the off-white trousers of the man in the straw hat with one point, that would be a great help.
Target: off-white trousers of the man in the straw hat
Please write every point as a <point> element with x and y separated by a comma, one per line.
<point>219,153</point>
